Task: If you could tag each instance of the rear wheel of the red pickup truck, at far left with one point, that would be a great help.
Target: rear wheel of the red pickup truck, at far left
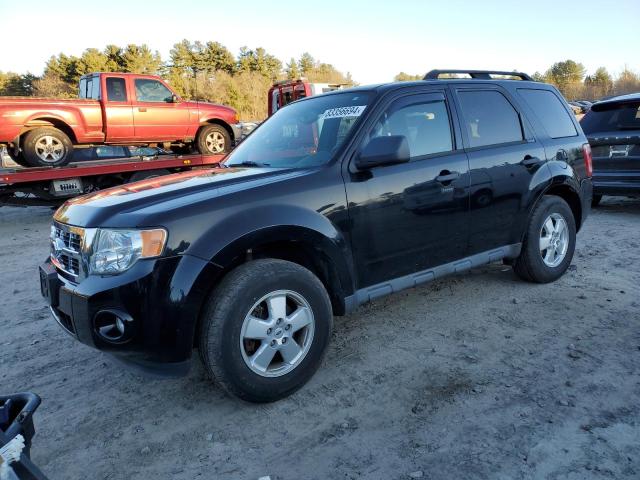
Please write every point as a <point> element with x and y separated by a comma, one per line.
<point>47,147</point>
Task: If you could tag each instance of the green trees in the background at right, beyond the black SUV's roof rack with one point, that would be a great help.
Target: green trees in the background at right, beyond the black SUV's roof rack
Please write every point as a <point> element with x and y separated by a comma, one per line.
<point>572,80</point>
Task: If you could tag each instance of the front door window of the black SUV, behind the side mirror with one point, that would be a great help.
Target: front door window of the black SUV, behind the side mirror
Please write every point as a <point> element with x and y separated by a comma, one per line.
<point>425,125</point>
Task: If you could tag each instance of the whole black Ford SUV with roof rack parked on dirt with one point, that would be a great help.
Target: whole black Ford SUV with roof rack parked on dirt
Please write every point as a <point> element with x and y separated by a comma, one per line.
<point>334,201</point>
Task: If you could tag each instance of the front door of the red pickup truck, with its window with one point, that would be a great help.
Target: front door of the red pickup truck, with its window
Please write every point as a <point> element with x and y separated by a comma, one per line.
<point>155,115</point>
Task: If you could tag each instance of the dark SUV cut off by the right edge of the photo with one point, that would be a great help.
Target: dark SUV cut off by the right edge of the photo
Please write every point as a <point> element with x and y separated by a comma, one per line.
<point>613,129</point>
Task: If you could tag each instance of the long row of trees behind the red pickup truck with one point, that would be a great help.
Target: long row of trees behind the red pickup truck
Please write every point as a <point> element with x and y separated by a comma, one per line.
<point>196,70</point>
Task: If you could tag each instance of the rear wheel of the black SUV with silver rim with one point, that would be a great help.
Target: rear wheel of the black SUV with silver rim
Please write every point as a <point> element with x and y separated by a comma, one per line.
<point>530,265</point>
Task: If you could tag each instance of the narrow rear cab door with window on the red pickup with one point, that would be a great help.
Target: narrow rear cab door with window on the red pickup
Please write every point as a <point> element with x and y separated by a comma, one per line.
<point>117,116</point>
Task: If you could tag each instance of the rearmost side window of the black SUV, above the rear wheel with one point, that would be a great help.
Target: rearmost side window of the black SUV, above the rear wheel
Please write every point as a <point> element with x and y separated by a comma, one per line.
<point>549,109</point>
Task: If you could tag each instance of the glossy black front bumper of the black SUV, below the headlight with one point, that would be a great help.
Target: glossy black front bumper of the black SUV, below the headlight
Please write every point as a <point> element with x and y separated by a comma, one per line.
<point>160,299</point>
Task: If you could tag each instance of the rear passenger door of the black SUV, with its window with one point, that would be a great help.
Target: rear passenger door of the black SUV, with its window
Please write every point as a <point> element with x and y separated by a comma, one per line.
<point>504,156</point>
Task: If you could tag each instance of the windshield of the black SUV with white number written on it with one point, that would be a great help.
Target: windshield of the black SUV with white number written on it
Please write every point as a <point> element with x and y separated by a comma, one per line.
<point>303,134</point>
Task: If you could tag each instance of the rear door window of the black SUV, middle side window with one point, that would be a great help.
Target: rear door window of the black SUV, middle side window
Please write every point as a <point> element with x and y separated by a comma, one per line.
<point>489,118</point>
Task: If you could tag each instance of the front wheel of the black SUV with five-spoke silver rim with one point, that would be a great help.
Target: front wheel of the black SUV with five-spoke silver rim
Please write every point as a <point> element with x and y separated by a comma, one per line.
<point>225,322</point>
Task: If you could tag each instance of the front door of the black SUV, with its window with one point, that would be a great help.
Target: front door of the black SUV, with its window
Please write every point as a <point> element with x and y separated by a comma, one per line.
<point>412,216</point>
